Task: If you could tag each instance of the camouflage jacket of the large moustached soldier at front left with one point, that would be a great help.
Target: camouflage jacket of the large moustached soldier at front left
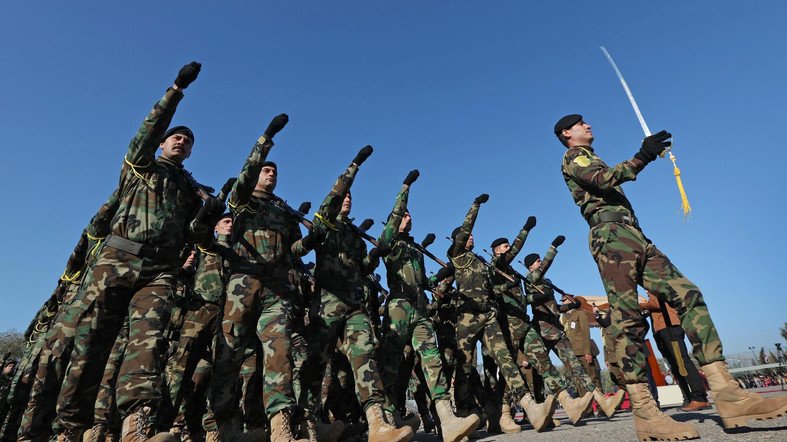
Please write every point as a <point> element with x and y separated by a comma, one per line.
<point>157,198</point>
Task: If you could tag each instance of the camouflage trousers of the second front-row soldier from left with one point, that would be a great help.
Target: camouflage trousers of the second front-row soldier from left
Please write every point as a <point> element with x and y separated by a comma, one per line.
<point>253,313</point>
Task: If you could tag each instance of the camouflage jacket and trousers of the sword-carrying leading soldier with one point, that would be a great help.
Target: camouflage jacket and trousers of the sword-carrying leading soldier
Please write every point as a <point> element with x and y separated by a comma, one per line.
<point>626,258</point>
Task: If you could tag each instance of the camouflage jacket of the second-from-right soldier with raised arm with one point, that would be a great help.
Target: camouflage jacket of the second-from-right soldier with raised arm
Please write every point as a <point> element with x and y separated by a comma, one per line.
<point>510,295</point>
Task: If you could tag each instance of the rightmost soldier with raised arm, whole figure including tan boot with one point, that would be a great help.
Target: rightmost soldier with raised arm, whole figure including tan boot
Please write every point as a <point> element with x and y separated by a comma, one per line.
<point>546,312</point>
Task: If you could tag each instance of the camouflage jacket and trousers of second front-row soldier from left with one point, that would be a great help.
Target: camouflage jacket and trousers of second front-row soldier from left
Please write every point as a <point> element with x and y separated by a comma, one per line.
<point>259,293</point>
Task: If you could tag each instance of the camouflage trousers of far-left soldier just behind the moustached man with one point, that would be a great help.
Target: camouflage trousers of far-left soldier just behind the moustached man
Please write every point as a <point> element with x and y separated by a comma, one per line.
<point>55,355</point>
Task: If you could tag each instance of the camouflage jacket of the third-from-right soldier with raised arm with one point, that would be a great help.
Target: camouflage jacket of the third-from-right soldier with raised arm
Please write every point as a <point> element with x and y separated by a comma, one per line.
<point>472,276</point>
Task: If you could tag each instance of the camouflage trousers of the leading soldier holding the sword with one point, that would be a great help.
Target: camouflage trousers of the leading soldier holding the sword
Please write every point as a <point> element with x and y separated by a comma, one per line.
<point>626,259</point>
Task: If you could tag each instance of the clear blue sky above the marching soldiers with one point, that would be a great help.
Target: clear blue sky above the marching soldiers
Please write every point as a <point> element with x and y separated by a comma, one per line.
<point>467,92</point>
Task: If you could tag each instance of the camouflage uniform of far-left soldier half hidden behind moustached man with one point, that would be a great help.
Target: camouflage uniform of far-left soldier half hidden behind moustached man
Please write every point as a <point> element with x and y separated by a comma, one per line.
<point>58,341</point>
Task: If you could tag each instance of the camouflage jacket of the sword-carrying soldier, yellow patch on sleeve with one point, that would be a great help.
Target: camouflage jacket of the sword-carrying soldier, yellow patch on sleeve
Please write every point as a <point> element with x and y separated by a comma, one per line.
<point>595,186</point>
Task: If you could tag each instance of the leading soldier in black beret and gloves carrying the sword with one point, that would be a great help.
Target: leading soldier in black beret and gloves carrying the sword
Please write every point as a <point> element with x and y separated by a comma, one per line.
<point>625,259</point>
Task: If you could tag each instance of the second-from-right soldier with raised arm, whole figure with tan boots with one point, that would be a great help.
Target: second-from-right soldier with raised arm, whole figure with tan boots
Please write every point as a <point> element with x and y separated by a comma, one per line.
<point>521,334</point>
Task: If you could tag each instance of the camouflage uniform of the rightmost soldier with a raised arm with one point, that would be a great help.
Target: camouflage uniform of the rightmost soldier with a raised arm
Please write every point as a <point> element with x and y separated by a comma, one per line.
<point>546,314</point>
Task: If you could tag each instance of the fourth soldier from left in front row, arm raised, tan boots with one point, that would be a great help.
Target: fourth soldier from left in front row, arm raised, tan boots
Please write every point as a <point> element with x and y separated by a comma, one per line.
<point>406,320</point>
